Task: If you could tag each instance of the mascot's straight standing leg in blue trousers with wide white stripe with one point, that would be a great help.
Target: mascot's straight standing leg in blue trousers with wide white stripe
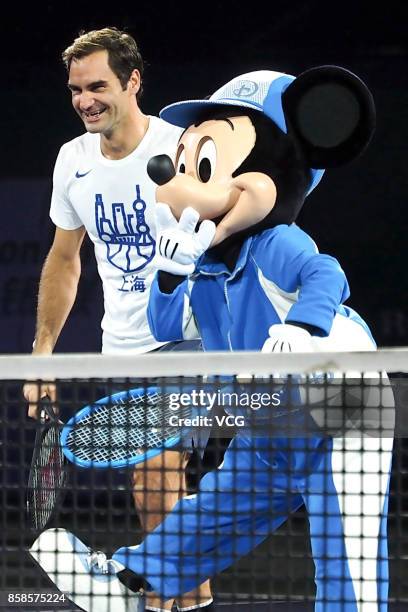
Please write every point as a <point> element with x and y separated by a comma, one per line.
<point>347,501</point>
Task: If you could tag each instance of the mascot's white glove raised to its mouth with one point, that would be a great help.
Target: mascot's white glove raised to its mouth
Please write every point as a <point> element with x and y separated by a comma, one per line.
<point>178,244</point>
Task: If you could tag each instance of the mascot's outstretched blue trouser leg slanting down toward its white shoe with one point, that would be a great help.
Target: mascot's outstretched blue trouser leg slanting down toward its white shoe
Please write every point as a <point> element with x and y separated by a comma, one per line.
<point>237,507</point>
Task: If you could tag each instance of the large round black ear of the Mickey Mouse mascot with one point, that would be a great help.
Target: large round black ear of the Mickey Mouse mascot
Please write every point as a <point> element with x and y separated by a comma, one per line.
<point>331,113</point>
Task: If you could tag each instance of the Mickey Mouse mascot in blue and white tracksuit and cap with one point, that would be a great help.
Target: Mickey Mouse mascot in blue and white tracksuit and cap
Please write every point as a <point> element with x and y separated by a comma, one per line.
<point>234,268</point>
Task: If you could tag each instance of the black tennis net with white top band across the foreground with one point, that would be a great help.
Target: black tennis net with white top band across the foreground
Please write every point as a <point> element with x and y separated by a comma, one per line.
<point>295,490</point>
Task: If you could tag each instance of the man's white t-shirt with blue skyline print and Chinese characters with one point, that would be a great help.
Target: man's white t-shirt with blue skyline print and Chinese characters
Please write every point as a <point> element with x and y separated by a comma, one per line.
<point>114,201</point>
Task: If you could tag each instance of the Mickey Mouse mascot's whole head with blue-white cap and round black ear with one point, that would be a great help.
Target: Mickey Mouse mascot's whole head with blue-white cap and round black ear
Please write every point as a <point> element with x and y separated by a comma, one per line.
<point>248,166</point>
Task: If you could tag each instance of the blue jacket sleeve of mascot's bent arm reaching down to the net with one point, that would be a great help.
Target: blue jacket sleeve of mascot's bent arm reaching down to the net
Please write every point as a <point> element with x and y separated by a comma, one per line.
<point>316,282</point>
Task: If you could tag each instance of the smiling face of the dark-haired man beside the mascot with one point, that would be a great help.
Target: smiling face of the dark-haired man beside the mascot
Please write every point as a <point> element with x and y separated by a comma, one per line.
<point>97,94</point>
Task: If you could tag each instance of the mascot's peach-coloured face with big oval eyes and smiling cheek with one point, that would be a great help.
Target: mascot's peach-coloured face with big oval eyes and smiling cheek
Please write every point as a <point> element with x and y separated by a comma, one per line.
<point>207,157</point>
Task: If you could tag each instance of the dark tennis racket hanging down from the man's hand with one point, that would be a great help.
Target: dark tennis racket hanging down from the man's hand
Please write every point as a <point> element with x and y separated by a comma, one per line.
<point>48,473</point>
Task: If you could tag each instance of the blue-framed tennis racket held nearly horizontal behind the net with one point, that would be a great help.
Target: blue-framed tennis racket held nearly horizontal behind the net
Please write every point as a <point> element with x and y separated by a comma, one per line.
<point>124,429</point>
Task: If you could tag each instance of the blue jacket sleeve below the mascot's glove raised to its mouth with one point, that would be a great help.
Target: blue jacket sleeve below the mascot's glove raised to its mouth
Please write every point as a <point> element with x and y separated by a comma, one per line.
<point>170,315</point>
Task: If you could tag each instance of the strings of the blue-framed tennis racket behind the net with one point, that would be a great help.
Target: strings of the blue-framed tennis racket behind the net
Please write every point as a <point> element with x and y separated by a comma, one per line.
<point>124,428</point>
